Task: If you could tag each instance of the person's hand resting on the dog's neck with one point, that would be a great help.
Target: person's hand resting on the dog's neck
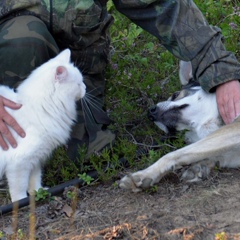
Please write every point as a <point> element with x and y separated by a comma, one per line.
<point>228,100</point>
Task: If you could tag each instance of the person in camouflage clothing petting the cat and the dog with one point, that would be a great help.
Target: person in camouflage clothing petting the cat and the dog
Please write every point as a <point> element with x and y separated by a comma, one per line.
<point>32,31</point>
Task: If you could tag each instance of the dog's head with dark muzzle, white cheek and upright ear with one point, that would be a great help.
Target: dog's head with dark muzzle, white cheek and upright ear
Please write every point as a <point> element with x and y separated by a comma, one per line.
<point>188,109</point>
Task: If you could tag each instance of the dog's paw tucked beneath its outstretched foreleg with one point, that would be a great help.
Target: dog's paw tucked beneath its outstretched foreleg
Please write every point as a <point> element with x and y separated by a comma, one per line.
<point>196,173</point>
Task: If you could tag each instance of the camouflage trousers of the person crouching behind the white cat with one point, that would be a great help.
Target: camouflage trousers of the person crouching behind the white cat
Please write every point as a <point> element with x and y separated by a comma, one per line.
<point>26,43</point>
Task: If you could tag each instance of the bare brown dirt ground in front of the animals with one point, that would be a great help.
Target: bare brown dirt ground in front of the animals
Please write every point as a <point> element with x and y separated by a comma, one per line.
<point>206,210</point>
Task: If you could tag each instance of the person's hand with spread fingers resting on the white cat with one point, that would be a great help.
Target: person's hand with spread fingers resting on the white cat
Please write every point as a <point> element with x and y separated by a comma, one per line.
<point>6,121</point>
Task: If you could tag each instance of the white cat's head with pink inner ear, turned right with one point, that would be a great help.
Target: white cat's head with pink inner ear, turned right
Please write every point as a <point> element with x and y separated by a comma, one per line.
<point>58,78</point>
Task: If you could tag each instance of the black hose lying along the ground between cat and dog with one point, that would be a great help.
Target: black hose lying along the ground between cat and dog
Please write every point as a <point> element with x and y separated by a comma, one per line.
<point>56,189</point>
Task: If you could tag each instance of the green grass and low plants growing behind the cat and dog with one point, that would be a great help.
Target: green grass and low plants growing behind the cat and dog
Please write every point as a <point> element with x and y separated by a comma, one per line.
<point>141,72</point>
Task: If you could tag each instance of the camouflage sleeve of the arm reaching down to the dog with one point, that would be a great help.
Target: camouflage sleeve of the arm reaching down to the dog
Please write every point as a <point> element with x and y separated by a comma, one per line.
<point>182,29</point>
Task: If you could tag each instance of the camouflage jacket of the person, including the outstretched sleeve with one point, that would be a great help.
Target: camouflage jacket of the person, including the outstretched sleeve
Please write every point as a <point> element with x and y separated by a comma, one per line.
<point>178,24</point>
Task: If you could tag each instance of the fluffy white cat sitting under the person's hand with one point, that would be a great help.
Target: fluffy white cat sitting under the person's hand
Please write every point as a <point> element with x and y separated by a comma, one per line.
<point>48,111</point>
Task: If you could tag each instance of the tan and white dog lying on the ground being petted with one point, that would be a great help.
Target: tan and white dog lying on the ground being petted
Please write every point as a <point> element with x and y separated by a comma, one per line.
<point>211,142</point>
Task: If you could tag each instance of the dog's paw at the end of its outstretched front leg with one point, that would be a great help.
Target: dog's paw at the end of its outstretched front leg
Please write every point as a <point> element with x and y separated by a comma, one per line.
<point>136,182</point>
